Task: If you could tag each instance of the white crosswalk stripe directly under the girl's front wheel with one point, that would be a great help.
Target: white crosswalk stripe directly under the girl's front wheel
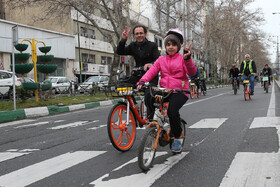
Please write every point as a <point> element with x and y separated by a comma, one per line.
<point>141,179</point>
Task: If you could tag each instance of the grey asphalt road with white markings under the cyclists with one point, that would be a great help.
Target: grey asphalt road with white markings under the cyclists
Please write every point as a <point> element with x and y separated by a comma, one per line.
<point>229,142</point>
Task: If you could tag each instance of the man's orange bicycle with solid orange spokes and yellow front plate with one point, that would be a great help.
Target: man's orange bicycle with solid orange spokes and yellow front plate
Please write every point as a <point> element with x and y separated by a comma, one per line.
<point>123,119</point>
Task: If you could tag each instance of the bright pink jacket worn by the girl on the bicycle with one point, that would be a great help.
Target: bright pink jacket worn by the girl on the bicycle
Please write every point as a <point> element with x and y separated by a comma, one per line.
<point>174,71</point>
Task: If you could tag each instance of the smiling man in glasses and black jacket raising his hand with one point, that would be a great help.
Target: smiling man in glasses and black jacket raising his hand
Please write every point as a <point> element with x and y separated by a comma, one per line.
<point>144,52</point>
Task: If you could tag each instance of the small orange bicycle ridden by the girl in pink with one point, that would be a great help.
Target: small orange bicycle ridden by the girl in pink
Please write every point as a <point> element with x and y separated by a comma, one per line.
<point>158,131</point>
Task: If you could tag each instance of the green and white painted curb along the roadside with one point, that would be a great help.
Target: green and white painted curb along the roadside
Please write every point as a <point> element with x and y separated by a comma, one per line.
<point>12,115</point>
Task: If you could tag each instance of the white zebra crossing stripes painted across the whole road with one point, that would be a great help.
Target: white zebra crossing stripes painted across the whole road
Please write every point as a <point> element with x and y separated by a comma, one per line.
<point>246,169</point>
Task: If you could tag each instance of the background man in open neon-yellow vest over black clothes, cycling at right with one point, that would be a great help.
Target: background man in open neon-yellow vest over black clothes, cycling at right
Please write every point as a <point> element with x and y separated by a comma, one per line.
<point>248,70</point>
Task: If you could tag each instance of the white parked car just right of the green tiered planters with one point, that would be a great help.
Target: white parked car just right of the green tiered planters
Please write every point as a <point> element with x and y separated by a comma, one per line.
<point>59,84</point>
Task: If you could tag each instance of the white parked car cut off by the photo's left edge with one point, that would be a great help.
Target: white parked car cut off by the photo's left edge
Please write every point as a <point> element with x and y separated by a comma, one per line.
<point>6,81</point>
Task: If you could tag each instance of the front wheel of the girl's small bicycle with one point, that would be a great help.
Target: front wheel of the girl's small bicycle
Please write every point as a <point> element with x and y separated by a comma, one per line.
<point>146,152</point>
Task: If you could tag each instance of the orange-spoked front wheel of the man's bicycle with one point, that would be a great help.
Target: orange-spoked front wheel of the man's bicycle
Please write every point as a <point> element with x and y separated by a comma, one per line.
<point>122,136</point>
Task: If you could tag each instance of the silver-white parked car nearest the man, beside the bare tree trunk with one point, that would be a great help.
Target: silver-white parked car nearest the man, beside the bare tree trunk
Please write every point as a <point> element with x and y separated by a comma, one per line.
<point>100,81</point>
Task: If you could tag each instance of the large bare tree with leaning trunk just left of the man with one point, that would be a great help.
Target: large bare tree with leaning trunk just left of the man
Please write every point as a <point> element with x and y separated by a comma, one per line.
<point>116,13</point>
